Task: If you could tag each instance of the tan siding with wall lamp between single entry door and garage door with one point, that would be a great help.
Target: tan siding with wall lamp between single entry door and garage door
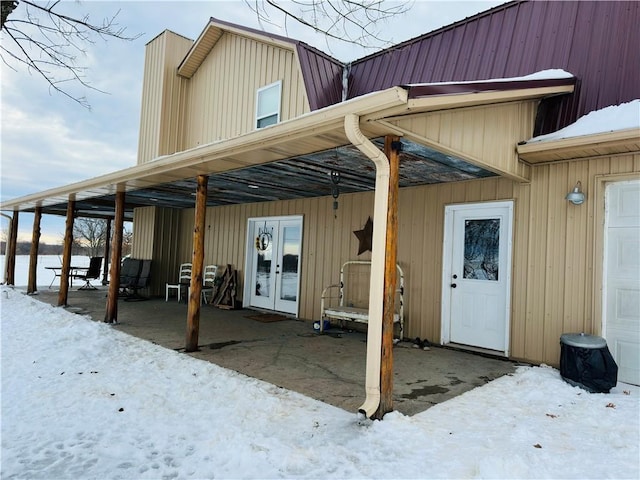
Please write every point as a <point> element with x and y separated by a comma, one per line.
<point>563,261</point>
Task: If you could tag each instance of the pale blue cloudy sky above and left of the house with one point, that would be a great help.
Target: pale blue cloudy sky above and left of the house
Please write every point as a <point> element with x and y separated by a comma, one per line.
<point>48,141</point>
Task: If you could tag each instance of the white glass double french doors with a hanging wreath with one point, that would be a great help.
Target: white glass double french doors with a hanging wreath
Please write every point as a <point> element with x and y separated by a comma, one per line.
<point>273,263</point>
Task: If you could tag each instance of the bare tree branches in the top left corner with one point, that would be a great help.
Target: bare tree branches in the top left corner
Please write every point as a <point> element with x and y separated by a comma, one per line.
<point>49,43</point>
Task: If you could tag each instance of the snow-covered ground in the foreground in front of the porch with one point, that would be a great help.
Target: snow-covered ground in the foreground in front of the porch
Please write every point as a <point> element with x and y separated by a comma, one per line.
<point>81,400</point>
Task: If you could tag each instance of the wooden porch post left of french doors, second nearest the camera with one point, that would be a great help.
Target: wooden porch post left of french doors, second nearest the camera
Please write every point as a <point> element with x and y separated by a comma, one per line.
<point>193,315</point>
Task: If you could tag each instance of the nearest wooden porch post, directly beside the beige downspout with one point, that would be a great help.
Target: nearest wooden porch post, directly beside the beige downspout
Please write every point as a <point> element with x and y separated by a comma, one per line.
<point>392,152</point>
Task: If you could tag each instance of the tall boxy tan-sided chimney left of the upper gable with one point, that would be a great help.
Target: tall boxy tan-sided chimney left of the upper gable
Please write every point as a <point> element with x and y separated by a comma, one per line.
<point>162,97</point>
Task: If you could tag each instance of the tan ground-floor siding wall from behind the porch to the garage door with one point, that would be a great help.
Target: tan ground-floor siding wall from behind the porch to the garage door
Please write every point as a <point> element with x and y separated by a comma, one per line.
<point>554,257</point>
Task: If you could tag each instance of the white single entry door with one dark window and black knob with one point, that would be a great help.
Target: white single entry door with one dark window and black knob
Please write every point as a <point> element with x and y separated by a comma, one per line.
<point>477,275</point>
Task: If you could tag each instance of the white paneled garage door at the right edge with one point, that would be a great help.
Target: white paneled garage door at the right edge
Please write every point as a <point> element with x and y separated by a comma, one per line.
<point>622,278</point>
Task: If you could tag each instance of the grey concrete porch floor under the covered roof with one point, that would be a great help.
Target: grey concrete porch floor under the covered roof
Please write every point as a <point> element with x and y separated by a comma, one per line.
<point>329,367</point>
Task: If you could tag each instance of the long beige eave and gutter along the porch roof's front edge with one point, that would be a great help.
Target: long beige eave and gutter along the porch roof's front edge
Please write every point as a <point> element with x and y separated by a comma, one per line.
<point>217,157</point>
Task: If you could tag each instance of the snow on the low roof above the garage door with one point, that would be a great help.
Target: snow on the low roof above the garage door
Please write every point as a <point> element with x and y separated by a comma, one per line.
<point>609,119</point>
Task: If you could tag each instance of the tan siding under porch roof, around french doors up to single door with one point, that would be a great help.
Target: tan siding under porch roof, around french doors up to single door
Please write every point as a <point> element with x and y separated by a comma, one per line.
<point>328,241</point>
